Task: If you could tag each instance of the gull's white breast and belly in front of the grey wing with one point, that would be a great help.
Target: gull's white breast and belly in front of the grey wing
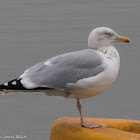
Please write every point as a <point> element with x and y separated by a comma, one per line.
<point>95,85</point>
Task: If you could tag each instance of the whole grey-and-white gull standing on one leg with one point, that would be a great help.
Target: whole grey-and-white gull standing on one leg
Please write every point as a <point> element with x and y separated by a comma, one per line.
<point>80,74</point>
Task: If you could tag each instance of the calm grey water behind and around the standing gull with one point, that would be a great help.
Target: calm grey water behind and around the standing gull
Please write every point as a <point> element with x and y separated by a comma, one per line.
<point>34,30</point>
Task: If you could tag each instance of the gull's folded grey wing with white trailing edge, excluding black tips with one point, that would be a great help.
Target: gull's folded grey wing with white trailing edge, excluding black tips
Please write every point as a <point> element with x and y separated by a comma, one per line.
<point>60,70</point>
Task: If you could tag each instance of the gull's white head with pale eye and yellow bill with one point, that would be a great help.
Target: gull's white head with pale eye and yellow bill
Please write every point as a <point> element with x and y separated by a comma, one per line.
<point>103,37</point>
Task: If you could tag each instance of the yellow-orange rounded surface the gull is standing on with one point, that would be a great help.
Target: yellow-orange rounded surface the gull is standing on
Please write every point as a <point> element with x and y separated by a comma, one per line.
<point>112,129</point>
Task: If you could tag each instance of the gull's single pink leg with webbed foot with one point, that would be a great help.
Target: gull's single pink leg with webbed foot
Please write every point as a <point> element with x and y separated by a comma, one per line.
<point>85,124</point>
